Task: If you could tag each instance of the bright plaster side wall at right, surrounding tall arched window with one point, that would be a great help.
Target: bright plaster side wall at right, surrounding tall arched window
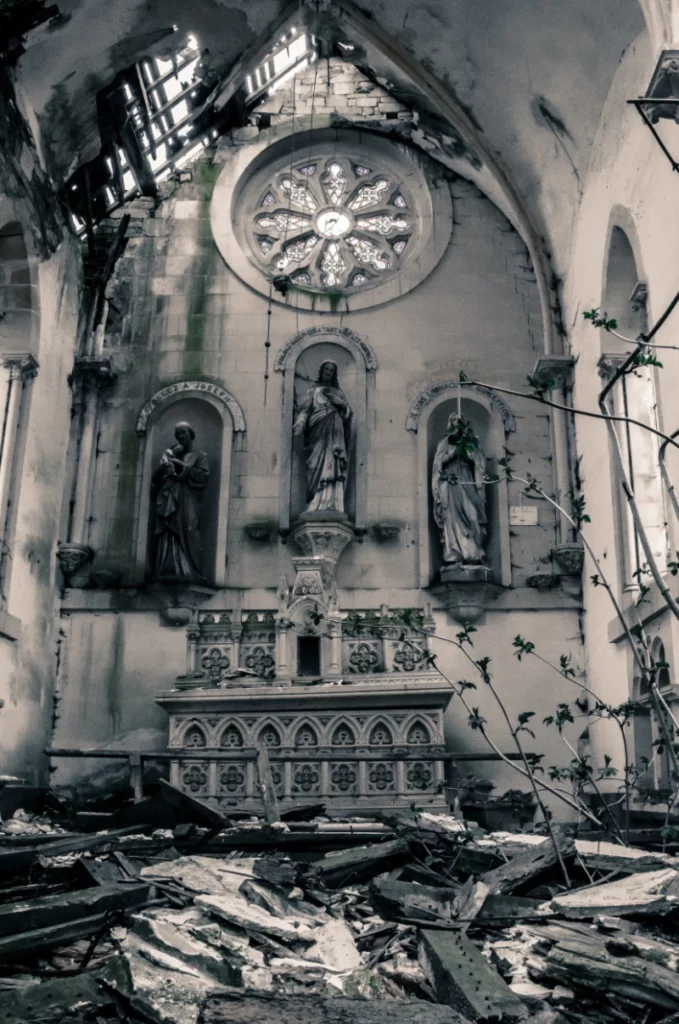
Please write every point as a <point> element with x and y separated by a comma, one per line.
<point>630,186</point>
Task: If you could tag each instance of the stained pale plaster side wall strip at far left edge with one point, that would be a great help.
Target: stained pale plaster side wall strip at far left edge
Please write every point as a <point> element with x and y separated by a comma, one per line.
<point>31,641</point>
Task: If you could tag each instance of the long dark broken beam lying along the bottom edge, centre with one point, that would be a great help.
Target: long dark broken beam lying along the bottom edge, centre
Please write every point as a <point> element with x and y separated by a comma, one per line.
<point>244,1008</point>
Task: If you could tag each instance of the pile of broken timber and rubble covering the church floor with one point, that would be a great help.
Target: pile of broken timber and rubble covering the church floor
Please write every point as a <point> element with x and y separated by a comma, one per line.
<point>415,919</point>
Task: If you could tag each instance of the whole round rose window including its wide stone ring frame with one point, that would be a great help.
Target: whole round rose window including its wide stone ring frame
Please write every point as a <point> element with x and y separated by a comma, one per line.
<point>331,217</point>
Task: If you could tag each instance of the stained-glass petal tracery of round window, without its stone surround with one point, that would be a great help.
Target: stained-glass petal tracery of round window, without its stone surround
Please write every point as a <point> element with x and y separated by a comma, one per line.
<point>333,225</point>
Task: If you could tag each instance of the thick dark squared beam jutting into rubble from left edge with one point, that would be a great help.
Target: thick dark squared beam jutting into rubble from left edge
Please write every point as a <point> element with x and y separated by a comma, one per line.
<point>47,911</point>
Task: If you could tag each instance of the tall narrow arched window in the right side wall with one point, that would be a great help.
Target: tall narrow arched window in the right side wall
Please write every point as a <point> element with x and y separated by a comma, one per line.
<point>634,397</point>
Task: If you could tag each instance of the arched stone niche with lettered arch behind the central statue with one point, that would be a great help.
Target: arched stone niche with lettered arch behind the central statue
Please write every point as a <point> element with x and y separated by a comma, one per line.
<point>300,362</point>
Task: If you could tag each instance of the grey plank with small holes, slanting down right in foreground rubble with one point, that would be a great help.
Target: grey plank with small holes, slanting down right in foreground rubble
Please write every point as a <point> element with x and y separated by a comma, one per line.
<point>462,978</point>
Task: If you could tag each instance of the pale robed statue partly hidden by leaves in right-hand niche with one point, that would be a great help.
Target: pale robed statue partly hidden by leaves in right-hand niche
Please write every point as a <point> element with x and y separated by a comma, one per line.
<point>458,487</point>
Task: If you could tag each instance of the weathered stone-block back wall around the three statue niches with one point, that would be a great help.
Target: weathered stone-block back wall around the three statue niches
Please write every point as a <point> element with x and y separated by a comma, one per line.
<point>182,314</point>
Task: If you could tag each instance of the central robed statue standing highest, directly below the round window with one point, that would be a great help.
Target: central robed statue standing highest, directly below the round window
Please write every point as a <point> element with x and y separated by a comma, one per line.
<point>325,422</point>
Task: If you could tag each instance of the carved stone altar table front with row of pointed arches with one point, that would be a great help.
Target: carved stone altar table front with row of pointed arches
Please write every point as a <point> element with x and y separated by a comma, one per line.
<point>373,742</point>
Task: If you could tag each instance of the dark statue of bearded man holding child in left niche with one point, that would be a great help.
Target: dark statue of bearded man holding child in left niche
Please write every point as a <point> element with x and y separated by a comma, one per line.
<point>179,486</point>
